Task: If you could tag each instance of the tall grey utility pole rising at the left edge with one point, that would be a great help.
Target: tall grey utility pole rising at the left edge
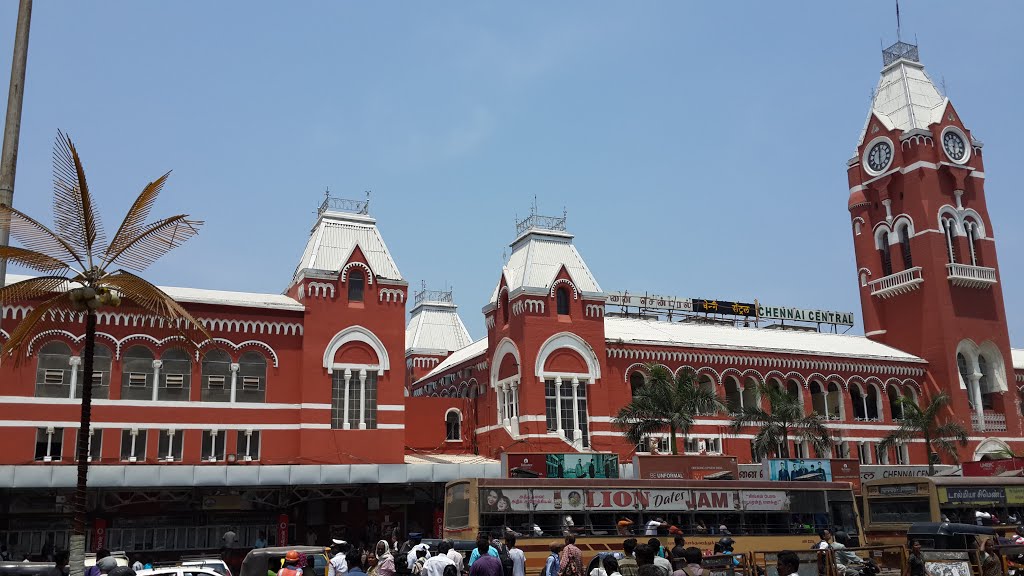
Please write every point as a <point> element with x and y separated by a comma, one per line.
<point>13,127</point>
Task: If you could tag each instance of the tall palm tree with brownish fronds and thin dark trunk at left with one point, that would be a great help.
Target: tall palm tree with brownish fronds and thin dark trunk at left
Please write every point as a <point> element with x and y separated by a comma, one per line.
<point>79,277</point>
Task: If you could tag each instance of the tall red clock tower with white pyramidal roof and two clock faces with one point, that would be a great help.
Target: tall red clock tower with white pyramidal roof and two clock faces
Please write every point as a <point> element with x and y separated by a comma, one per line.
<point>925,245</point>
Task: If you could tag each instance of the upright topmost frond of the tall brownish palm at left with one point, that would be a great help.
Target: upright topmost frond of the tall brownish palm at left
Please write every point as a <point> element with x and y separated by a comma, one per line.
<point>74,214</point>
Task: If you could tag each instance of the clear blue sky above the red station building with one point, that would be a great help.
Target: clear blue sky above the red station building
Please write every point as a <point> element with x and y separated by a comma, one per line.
<point>657,126</point>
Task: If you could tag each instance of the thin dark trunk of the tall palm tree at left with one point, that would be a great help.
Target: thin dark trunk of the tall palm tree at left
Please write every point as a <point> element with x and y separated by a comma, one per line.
<point>77,545</point>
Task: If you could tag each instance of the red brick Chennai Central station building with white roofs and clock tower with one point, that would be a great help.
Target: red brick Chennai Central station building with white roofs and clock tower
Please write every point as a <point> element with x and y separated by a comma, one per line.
<point>324,402</point>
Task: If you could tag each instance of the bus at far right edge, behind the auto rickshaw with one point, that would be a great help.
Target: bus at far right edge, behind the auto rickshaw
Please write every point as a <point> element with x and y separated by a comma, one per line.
<point>893,504</point>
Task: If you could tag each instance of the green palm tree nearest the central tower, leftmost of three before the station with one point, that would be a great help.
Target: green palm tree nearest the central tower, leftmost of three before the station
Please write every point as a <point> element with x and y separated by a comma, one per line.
<point>666,401</point>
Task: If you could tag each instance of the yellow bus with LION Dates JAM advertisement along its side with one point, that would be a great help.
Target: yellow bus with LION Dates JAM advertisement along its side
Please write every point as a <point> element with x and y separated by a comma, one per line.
<point>758,516</point>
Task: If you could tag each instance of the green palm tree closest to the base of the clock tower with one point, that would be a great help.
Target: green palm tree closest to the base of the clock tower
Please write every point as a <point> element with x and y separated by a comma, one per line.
<point>925,424</point>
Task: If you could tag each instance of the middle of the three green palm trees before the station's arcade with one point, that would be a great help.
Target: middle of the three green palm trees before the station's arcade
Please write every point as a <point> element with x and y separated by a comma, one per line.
<point>784,419</point>
